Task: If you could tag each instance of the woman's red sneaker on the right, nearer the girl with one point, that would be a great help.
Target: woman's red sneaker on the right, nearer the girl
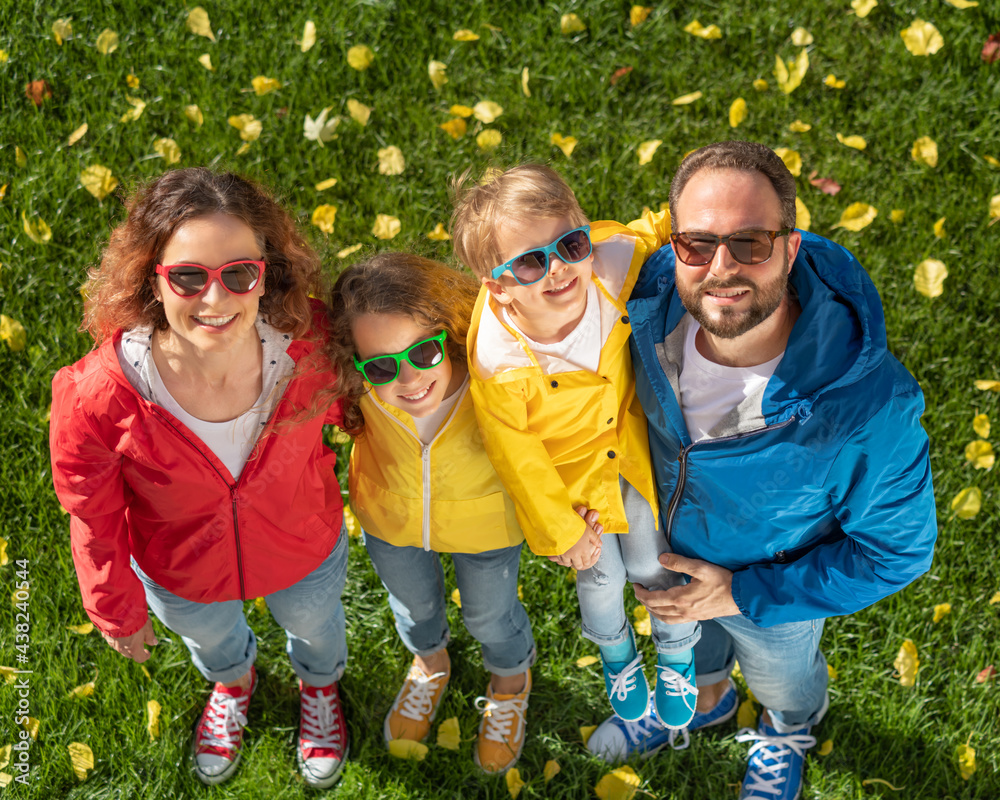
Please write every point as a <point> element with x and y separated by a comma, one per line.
<point>322,745</point>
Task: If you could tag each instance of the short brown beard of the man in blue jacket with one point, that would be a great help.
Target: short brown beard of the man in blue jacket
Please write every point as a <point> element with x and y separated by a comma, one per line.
<point>727,322</point>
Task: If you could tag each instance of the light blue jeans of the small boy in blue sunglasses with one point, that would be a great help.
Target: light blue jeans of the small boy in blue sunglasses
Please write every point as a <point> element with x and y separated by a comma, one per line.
<point>630,557</point>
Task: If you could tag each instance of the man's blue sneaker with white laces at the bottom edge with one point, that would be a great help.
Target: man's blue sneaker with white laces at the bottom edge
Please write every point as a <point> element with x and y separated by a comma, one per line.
<point>776,762</point>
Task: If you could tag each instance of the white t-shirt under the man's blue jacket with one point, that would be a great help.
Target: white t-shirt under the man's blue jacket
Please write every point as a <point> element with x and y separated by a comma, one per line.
<point>709,391</point>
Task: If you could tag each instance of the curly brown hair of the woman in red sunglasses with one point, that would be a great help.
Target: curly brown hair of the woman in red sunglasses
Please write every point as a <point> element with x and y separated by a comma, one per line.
<point>119,292</point>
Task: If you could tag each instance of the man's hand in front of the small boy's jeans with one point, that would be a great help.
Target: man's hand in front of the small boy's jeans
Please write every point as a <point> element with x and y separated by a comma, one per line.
<point>708,595</point>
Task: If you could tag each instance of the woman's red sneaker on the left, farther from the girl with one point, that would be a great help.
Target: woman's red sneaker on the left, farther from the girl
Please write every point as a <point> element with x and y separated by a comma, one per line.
<point>218,736</point>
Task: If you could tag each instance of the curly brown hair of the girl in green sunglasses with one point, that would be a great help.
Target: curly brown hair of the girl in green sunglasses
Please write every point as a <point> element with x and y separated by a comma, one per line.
<point>433,294</point>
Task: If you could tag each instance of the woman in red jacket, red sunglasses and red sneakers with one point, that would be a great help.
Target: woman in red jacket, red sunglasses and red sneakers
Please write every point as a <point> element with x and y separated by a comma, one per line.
<point>192,480</point>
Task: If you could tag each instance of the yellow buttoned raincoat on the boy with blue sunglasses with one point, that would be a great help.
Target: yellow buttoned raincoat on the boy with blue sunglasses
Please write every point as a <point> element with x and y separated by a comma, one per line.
<point>561,439</point>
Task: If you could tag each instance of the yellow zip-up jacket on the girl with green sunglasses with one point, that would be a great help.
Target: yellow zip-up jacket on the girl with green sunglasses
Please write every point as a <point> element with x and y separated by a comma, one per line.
<point>443,496</point>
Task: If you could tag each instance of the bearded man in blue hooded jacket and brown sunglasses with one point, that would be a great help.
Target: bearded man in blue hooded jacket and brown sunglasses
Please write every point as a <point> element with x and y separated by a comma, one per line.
<point>793,474</point>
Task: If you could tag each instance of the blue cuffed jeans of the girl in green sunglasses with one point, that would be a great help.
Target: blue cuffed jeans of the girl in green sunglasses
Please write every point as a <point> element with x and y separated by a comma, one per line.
<point>488,585</point>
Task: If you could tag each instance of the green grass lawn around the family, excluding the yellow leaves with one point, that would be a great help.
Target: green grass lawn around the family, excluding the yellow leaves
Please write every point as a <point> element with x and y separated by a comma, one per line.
<point>879,729</point>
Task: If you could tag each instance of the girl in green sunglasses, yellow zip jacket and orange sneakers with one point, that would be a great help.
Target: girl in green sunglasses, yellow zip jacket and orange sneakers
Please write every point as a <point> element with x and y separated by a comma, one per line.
<point>421,484</point>
